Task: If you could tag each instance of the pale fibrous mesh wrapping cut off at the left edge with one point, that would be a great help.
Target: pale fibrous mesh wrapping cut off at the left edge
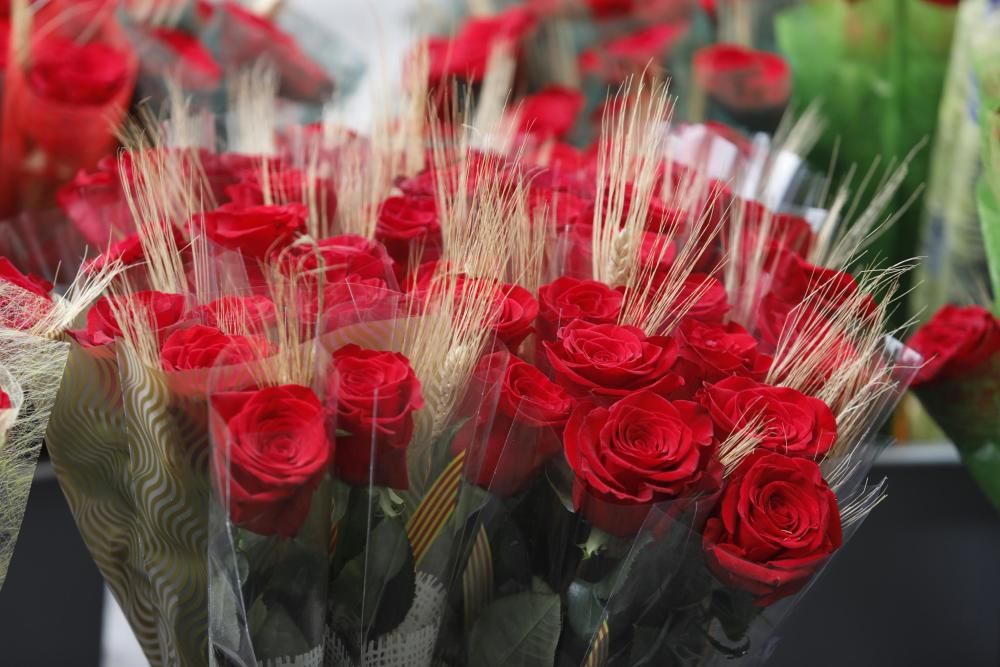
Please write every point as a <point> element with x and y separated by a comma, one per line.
<point>29,374</point>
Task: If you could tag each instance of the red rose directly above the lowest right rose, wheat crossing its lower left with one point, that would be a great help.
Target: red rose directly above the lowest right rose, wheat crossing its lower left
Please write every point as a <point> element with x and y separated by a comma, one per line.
<point>784,420</point>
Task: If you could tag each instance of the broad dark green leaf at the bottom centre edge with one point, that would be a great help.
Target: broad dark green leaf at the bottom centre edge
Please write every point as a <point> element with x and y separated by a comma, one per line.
<point>521,630</point>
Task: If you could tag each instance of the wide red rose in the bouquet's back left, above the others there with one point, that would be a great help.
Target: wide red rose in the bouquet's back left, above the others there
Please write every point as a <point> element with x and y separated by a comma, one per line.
<point>254,230</point>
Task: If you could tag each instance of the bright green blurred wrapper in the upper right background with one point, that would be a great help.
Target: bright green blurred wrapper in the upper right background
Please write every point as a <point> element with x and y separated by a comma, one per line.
<point>886,60</point>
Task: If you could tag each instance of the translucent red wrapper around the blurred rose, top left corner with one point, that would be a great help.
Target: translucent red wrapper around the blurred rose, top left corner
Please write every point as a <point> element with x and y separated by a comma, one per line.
<point>44,141</point>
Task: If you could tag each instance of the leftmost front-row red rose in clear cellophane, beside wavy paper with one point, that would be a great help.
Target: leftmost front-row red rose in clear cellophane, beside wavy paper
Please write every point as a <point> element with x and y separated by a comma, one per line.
<point>271,456</point>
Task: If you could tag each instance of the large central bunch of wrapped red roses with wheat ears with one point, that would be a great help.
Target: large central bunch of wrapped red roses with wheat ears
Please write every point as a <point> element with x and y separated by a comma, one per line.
<point>449,394</point>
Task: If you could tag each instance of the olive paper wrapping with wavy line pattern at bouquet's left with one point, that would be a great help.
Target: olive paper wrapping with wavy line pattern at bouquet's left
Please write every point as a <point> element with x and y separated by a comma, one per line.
<point>130,457</point>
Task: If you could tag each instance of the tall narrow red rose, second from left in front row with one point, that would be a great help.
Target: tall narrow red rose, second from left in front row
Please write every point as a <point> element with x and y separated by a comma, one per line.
<point>377,394</point>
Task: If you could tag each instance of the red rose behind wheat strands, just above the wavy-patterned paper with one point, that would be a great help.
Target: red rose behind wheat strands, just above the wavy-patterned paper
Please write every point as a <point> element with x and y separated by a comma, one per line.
<point>161,310</point>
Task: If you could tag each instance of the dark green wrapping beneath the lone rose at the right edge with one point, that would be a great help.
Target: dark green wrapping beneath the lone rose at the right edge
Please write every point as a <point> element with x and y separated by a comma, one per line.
<point>968,410</point>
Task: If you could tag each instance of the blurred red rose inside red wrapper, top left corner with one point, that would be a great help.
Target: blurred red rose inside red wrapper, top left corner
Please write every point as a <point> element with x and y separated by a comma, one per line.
<point>78,74</point>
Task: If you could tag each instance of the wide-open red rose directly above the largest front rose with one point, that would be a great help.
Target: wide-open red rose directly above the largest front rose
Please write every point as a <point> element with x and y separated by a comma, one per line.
<point>606,361</point>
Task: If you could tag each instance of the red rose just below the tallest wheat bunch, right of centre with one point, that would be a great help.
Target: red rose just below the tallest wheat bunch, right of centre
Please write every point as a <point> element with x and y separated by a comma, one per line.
<point>567,299</point>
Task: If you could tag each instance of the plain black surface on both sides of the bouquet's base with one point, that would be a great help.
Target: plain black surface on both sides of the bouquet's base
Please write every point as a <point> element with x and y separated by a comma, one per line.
<point>917,586</point>
